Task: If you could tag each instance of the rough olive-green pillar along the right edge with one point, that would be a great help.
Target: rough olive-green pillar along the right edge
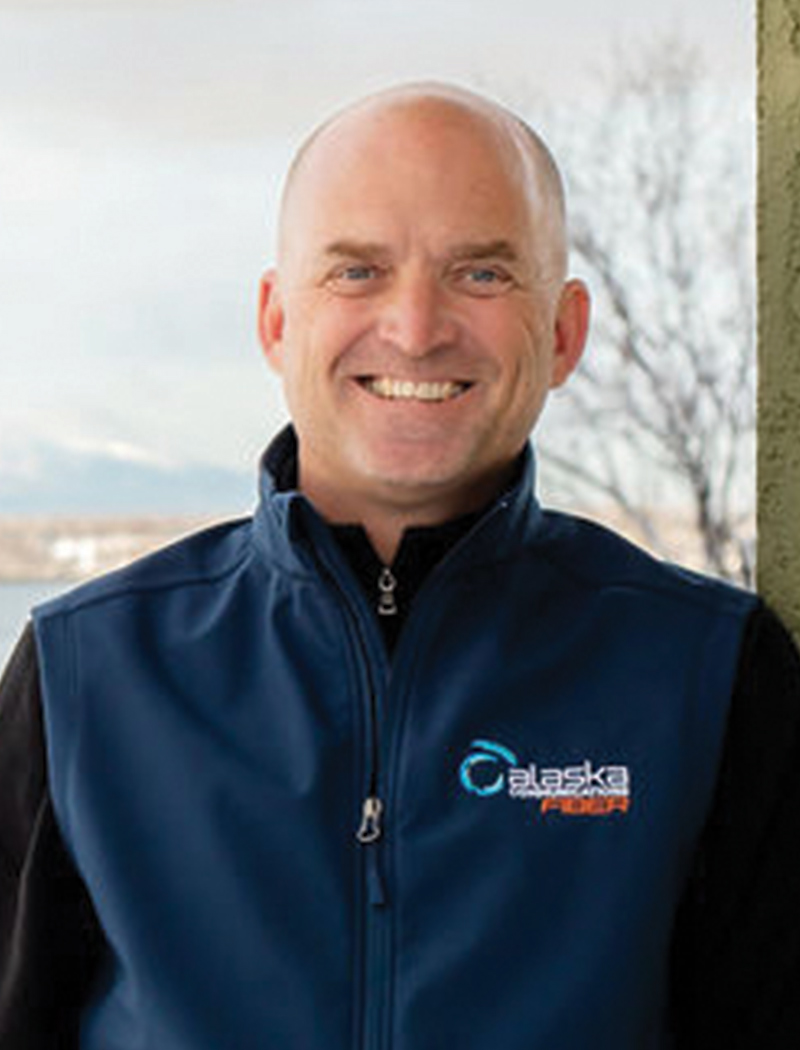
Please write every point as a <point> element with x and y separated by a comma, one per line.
<point>780,307</point>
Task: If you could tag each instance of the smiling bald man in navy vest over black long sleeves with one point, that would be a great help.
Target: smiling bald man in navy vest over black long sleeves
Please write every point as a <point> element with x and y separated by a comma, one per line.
<point>404,762</point>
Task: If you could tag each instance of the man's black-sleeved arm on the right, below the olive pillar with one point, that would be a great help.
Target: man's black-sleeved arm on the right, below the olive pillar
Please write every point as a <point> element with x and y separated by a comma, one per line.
<point>736,958</point>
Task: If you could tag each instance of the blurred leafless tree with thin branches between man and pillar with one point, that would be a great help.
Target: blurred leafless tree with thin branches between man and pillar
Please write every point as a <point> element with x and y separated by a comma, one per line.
<point>662,196</point>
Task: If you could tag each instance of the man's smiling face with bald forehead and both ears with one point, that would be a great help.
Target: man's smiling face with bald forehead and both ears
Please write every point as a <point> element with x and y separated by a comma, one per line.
<point>415,318</point>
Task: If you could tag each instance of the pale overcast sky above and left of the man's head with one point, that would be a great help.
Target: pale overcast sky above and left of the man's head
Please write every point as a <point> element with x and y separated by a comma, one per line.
<point>142,146</point>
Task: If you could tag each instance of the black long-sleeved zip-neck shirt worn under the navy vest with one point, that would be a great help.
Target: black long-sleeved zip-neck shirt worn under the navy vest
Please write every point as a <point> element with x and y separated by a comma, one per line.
<point>735,965</point>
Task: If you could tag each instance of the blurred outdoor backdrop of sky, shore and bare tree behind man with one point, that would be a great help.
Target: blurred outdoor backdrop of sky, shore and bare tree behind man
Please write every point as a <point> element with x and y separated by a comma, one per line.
<point>142,150</point>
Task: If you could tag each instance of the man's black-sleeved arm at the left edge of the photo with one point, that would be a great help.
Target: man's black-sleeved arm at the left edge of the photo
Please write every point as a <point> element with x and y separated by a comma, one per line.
<point>50,937</point>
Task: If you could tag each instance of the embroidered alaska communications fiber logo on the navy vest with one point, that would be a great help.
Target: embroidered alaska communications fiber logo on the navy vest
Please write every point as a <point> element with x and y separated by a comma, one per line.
<point>584,789</point>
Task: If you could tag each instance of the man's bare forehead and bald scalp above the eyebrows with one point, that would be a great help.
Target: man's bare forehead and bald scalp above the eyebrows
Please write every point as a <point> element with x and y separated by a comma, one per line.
<point>431,163</point>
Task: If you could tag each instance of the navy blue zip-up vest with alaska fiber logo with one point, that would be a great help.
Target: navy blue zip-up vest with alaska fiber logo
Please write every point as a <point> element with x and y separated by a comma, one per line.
<point>543,751</point>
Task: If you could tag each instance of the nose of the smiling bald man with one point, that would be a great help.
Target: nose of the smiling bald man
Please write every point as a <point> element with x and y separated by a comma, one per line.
<point>416,318</point>
